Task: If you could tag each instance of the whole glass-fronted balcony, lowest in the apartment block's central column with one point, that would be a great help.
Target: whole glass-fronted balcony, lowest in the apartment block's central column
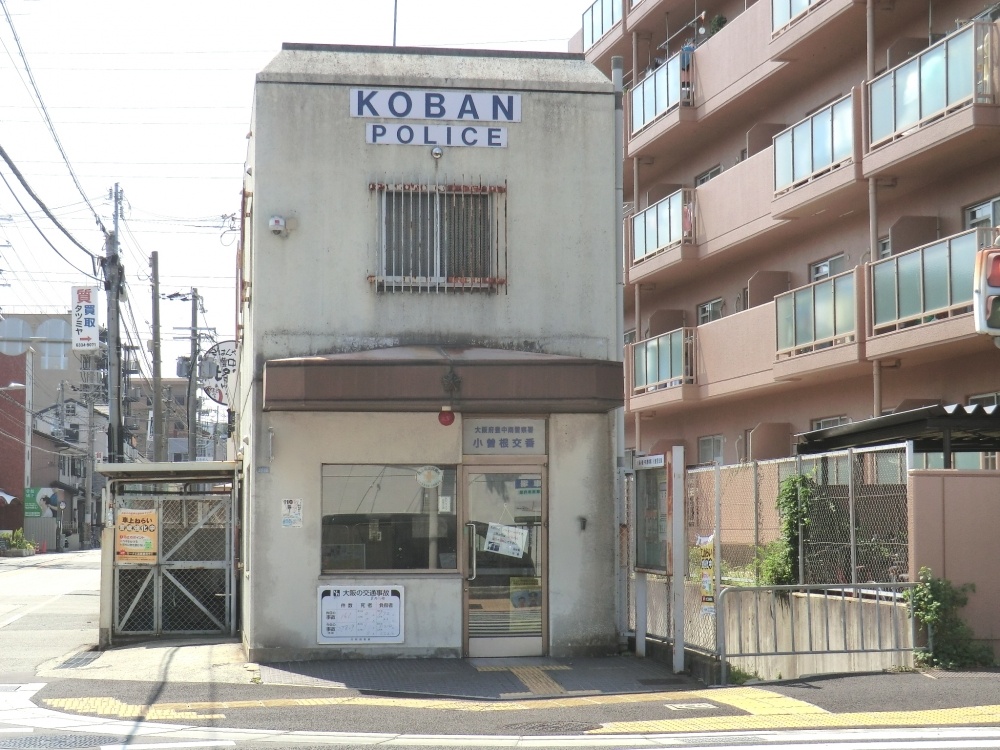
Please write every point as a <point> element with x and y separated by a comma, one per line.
<point>817,326</point>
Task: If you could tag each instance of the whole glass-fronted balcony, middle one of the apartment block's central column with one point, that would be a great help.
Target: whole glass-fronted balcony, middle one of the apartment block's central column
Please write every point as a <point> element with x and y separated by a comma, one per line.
<point>817,163</point>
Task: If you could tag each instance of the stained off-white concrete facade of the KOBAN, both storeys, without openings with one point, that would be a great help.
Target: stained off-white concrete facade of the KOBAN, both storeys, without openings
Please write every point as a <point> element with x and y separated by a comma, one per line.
<point>343,365</point>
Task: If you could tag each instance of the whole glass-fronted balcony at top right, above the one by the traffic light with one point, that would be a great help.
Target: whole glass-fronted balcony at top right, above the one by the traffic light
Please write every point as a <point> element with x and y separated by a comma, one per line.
<point>939,108</point>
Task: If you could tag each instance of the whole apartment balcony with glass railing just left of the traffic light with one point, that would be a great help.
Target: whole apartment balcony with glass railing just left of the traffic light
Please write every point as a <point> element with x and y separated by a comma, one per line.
<point>924,297</point>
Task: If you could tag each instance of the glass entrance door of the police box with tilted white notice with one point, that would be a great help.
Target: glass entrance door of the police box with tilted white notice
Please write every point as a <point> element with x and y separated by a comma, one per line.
<point>505,555</point>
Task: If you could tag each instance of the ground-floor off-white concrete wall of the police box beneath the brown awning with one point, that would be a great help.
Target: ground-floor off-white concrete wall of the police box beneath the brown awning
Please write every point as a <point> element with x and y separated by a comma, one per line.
<point>283,566</point>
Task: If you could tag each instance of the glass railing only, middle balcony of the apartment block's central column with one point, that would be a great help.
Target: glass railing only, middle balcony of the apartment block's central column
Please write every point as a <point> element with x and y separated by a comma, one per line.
<point>814,146</point>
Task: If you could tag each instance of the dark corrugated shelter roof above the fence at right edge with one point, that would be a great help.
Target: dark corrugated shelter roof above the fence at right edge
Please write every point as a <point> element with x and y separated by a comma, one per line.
<point>932,429</point>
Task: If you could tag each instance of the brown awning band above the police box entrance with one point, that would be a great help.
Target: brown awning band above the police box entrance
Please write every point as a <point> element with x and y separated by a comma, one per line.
<point>418,378</point>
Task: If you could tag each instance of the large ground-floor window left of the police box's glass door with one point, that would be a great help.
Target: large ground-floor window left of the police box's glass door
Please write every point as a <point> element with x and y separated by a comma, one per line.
<point>380,518</point>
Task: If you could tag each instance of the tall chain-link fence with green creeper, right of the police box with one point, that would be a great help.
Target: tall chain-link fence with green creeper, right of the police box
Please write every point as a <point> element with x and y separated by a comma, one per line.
<point>856,530</point>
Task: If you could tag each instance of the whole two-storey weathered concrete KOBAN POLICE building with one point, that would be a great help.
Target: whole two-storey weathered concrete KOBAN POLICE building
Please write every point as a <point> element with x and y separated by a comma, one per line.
<point>428,359</point>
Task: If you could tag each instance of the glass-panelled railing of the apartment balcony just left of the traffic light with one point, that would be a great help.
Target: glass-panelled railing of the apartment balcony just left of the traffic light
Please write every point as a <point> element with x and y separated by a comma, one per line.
<point>928,283</point>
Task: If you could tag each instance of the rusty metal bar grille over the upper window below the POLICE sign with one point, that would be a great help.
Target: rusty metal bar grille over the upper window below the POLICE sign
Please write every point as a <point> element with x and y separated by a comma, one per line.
<point>439,238</point>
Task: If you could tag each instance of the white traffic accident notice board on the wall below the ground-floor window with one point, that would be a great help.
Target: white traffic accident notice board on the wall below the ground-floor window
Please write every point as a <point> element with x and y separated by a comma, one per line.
<point>360,614</point>
